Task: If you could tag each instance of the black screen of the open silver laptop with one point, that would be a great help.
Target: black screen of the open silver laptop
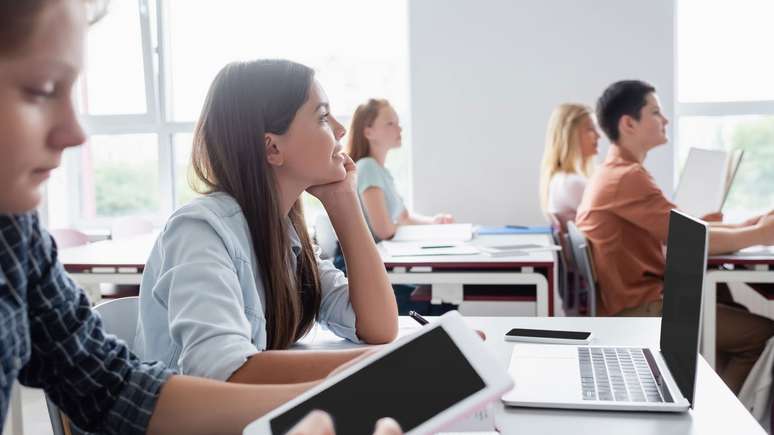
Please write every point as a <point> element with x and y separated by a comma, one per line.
<point>686,264</point>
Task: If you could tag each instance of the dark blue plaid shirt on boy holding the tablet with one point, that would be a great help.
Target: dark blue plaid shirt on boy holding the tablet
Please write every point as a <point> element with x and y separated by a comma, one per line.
<point>50,339</point>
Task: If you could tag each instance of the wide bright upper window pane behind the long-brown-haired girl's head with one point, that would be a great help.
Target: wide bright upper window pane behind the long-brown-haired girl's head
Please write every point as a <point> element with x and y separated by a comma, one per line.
<point>358,48</point>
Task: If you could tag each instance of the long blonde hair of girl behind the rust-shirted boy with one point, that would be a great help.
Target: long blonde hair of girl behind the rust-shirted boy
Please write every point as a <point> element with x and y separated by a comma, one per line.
<point>562,152</point>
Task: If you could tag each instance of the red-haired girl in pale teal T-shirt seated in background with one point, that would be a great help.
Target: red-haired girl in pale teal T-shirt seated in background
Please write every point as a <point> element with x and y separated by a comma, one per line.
<point>375,131</point>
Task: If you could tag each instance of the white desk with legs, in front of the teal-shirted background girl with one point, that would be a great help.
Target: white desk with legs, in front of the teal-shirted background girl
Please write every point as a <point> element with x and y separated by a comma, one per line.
<point>448,273</point>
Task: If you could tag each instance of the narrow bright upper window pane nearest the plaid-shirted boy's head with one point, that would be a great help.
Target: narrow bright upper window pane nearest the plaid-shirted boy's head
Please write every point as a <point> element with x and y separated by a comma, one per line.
<point>114,78</point>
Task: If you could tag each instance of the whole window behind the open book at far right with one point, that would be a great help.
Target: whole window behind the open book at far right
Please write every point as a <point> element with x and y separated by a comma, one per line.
<point>725,90</point>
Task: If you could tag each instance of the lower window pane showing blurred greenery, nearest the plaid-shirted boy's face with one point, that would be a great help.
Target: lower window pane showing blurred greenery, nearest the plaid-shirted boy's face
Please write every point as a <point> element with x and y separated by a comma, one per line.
<point>120,176</point>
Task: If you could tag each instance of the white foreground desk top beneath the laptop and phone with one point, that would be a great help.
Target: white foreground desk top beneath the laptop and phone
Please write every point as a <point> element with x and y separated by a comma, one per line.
<point>716,410</point>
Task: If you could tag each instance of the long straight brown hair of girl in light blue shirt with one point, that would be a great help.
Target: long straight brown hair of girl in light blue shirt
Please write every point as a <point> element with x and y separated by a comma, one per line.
<point>245,101</point>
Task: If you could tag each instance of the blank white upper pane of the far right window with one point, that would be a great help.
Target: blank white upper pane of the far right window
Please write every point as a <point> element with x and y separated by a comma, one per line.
<point>724,50</point>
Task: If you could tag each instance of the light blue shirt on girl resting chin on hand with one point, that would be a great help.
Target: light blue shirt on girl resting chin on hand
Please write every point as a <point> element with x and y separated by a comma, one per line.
<point>202,298</point>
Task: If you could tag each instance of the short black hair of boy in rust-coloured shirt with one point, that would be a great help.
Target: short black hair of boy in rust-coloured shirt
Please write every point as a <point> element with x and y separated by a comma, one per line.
<point>625,97</point>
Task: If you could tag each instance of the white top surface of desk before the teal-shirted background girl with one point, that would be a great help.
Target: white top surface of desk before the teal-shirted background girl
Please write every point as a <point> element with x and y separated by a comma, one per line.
<point>532,258</point>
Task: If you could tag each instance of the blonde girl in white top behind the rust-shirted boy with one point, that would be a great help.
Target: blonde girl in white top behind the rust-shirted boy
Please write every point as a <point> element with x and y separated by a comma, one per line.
<point>571,144</point>
